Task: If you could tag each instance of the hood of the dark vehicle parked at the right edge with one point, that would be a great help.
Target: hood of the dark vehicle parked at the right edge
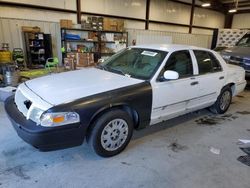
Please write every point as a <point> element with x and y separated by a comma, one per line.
<point>238,51</point>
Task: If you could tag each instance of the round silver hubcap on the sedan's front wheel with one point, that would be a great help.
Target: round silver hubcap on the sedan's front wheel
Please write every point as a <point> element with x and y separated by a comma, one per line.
<point>114,134</point>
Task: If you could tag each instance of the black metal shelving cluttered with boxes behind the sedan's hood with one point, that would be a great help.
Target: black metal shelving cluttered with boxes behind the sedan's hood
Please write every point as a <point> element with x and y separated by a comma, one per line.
<point>83,47</point>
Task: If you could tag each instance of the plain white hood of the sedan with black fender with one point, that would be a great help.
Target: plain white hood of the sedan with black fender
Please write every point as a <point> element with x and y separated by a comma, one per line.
<point>69,86</point>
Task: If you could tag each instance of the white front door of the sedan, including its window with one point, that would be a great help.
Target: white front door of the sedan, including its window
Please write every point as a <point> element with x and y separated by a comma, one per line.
<point>170,97</point>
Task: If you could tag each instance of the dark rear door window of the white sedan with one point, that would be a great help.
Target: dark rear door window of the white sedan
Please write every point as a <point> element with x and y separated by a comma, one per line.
<point>207,62</point>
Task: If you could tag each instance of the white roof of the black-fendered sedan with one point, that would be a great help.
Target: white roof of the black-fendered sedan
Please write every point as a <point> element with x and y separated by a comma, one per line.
<point>169,47</point>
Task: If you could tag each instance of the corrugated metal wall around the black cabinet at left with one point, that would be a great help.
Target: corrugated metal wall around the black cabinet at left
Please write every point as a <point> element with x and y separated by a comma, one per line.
<point>10,32</point>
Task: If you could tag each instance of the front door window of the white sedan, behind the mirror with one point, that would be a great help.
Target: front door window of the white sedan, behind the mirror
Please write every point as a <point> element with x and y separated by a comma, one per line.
<point>180,62</point>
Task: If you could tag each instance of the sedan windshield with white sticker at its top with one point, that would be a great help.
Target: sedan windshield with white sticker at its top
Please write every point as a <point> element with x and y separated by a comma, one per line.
<point>134,62</point>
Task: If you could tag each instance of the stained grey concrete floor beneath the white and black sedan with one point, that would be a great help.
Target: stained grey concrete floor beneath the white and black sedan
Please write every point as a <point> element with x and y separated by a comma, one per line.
<point>174,154</point>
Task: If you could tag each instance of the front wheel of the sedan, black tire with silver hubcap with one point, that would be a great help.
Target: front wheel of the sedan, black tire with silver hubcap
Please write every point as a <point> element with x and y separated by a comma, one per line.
<point>111,133</point>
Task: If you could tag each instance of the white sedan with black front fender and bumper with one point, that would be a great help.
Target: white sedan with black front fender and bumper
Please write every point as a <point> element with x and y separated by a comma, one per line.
<point>134,88</point>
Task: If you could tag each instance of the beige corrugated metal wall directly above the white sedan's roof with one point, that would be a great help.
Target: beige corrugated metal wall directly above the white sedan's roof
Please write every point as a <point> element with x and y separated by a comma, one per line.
<point>177,38</point>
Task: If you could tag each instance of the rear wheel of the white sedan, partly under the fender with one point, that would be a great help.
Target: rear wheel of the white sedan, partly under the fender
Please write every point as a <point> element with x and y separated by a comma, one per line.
<point>223,101</point>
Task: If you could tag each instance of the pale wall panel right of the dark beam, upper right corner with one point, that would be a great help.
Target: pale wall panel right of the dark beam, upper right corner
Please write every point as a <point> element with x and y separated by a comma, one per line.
<point>241,21</point>
